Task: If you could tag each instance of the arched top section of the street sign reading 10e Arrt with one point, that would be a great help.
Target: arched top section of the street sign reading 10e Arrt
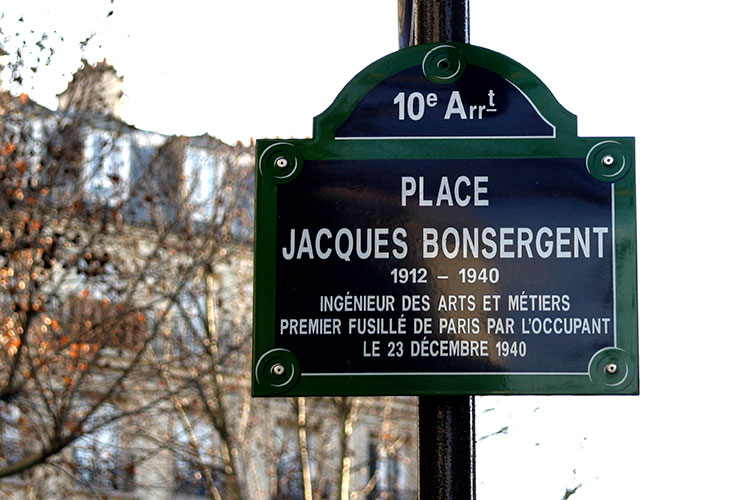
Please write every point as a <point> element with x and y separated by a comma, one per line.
<point>445,91</point>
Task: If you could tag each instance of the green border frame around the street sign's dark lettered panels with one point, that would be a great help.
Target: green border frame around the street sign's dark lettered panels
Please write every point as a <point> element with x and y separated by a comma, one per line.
<point>613,370</point>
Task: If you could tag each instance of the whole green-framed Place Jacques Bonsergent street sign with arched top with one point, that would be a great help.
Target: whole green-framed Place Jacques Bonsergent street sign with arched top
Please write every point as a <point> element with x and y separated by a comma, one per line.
<point>445,231</point>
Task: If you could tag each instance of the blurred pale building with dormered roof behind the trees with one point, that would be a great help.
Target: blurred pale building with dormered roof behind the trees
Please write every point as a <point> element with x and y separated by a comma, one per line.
<point>157,281</point>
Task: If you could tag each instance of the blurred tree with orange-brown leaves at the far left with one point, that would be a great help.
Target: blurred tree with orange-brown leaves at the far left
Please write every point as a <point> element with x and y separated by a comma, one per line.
<point>93,267</point>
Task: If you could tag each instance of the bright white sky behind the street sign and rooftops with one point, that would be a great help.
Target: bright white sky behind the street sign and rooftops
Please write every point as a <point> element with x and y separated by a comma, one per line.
<point>672,74</point>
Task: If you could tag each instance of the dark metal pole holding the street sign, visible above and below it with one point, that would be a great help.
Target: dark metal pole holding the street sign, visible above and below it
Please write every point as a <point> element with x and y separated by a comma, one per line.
<point>446,423</point>
